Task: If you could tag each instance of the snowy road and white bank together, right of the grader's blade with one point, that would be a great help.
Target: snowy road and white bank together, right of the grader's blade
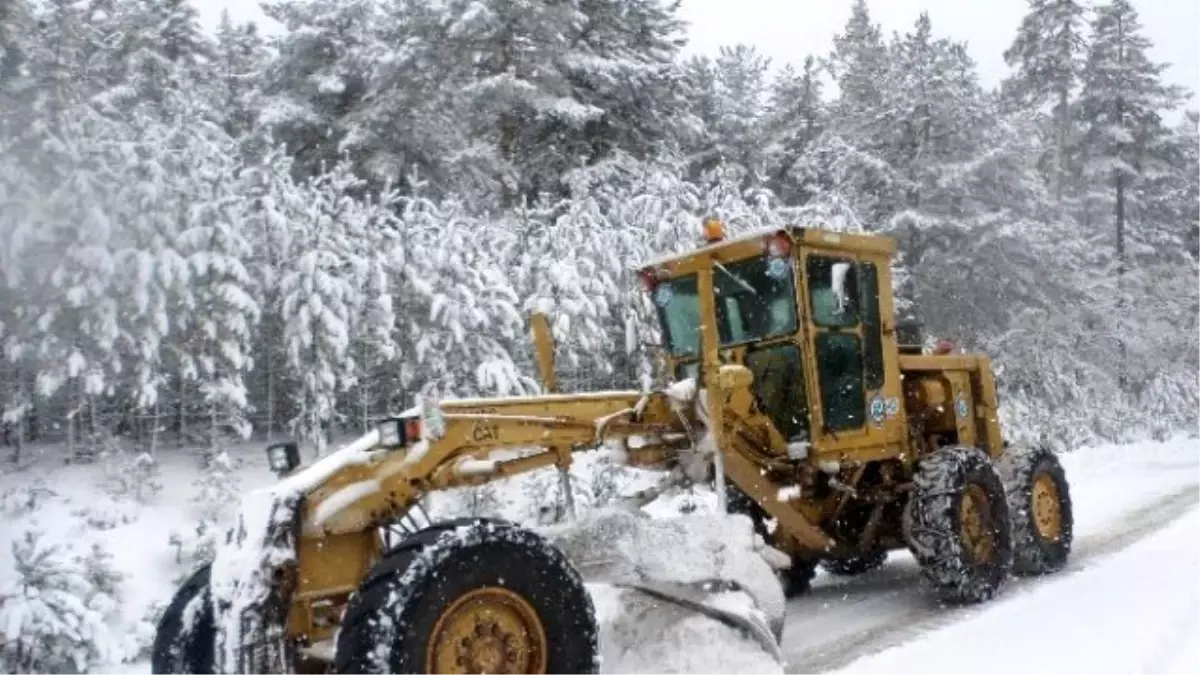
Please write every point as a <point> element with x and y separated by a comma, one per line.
<point>1133,505</point>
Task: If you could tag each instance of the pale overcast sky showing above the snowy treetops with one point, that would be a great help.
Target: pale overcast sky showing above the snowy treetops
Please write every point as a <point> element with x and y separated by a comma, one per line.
<point>788,31</point>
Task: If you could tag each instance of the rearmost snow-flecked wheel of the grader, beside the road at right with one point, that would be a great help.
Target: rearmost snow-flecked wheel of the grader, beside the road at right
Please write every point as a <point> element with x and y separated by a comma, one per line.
<point>1040,503</point>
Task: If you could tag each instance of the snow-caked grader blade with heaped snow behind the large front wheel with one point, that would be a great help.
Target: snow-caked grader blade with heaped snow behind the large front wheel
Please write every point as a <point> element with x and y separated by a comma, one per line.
<point>711,560</point>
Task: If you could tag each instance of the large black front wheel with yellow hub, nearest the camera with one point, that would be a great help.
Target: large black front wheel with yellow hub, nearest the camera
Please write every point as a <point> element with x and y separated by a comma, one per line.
<point>471,595</point>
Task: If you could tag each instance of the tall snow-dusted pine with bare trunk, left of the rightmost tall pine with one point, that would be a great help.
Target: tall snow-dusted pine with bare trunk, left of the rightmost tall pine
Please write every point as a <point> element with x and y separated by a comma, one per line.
<point>1047,58</point>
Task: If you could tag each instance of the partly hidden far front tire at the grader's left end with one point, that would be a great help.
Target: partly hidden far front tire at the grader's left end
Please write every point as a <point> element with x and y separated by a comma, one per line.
<point>184,642</point>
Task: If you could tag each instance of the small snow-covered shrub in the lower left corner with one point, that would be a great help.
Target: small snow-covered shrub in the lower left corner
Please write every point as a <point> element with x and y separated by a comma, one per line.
<point>56,610</point>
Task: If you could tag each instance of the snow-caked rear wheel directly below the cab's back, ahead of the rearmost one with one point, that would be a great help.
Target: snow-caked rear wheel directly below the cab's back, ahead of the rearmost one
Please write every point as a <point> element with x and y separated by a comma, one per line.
<point>958,525</point>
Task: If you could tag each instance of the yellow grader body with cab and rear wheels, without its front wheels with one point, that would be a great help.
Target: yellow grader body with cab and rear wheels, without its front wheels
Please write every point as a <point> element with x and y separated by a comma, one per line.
<point>844,475</point>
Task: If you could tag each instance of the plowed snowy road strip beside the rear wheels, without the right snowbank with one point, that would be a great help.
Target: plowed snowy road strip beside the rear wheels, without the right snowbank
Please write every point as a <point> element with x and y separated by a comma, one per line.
<point>843,620</point>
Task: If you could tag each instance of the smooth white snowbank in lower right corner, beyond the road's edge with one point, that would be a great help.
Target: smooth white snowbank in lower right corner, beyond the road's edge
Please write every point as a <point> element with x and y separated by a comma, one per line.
<point>1137,612</point>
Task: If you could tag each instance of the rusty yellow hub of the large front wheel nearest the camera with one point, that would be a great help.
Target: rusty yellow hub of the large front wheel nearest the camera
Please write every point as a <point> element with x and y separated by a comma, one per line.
<point>489,631</point>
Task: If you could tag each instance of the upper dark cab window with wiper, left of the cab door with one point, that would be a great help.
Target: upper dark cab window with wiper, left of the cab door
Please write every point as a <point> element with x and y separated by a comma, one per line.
<point>755,300</point>
